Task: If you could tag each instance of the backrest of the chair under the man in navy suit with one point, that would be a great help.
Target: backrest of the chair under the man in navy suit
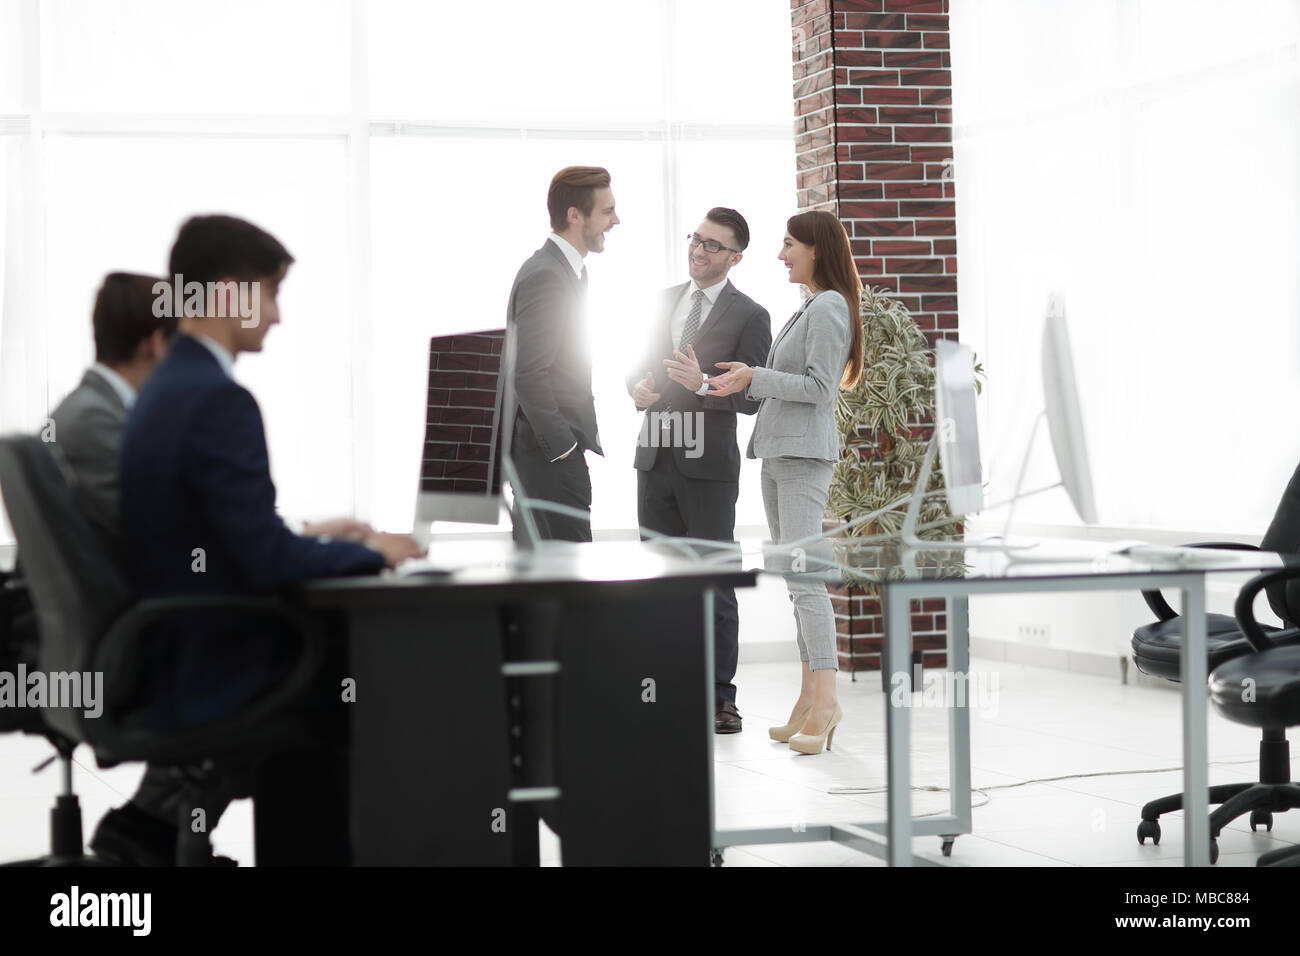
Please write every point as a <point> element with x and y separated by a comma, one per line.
<point>76,585</point>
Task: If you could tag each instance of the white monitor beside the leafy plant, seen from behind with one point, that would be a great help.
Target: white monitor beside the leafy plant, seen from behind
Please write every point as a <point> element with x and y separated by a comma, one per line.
<point>957,427</point>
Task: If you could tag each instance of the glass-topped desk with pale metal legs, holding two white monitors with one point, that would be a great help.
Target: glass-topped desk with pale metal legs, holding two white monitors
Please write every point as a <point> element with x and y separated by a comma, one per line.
<point>903,578</point>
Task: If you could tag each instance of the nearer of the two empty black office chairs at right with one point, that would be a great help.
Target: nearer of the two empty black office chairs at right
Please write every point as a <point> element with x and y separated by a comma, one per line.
<point>1262,689</point>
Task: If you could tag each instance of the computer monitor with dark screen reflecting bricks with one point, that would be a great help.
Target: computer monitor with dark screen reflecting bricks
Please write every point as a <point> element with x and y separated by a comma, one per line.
<point>465,439</point>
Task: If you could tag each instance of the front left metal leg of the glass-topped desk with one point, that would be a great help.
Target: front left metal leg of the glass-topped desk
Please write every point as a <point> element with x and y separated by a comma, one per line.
<point>898,663</point>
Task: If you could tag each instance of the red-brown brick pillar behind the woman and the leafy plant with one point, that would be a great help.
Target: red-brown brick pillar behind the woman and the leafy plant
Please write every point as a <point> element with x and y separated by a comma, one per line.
<point>873,107</point>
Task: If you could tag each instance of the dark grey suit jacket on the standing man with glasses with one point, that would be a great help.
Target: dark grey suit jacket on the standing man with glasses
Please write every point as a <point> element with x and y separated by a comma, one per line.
<point>738,330</point>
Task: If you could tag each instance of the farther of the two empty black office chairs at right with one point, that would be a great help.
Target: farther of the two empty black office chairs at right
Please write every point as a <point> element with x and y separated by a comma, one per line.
<point>1158,652</point>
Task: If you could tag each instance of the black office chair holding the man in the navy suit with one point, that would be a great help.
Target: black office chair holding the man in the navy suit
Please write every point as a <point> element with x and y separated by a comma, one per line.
<point>88,622</point>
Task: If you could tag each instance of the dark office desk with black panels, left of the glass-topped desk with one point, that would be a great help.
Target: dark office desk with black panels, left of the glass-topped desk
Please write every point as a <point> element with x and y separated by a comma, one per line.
<point>435,771</point>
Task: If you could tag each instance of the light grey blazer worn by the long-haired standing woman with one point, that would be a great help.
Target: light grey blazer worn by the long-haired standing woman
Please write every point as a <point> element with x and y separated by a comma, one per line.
<point>800,383</point>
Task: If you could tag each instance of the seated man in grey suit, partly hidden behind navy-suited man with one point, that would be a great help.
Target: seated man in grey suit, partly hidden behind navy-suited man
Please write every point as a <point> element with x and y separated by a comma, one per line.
<point>88,425</point>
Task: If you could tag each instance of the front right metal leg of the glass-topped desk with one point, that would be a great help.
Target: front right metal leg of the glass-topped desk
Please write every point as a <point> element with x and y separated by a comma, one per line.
<point>1197,838</point>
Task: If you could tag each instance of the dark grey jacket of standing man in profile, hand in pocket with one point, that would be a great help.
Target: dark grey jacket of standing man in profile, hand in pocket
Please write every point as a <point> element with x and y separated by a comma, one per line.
<point>553,370</point>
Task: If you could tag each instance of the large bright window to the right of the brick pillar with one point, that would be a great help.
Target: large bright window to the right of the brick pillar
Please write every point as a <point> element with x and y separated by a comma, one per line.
<point>1139,157</point>
